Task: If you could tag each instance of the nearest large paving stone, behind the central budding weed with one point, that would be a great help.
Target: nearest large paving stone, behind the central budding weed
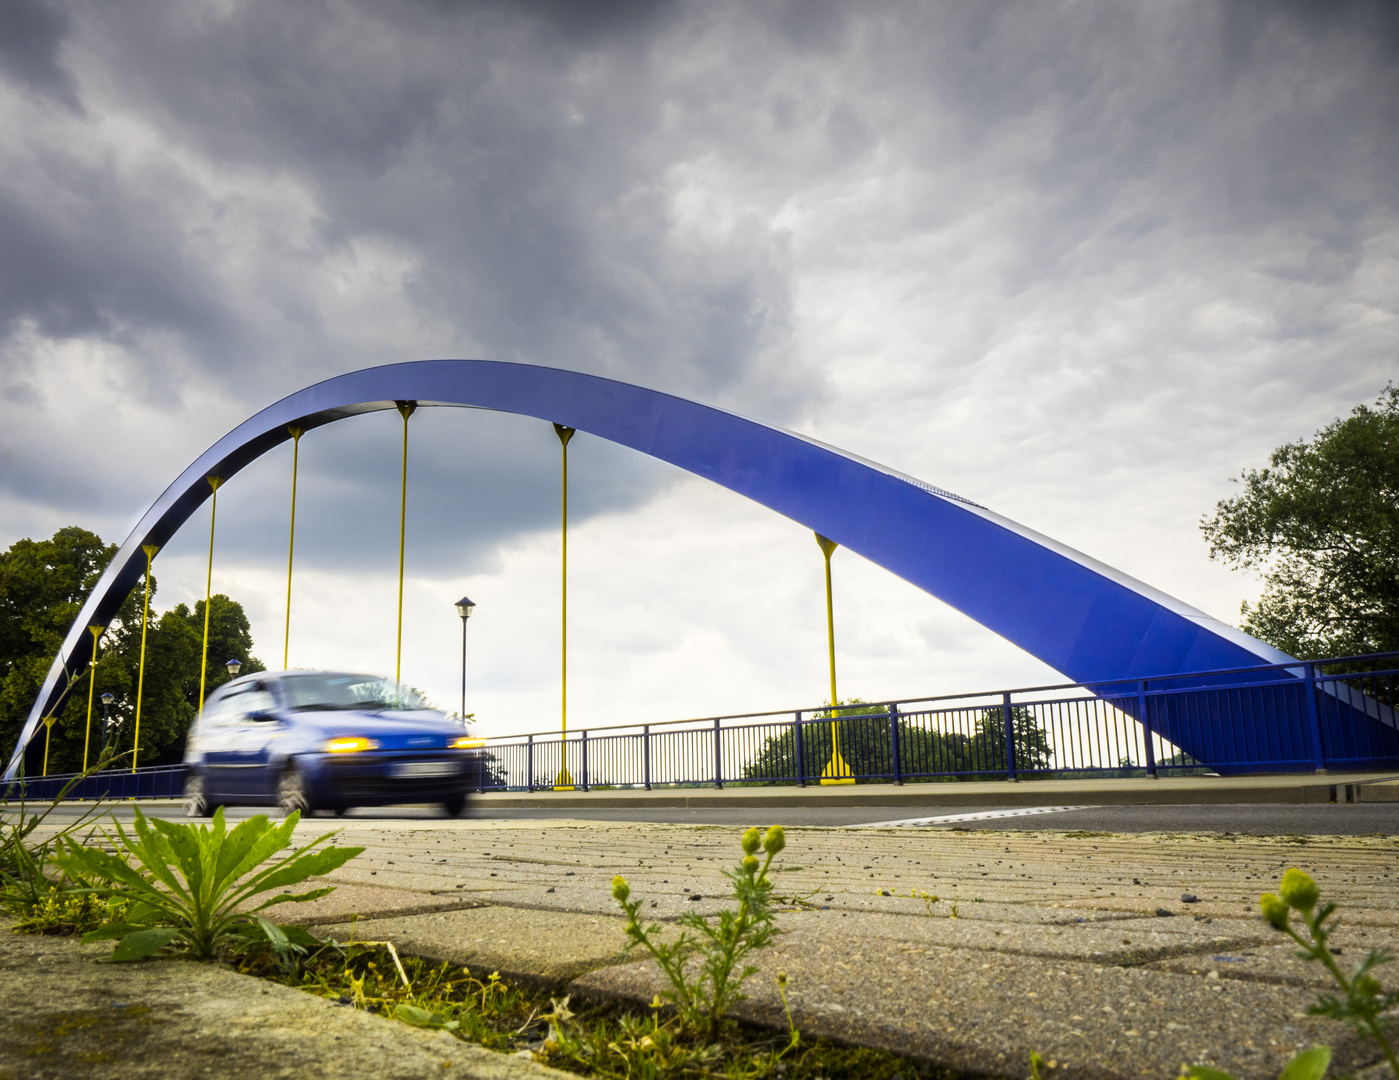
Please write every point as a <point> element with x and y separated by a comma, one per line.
<point>986,1014</point>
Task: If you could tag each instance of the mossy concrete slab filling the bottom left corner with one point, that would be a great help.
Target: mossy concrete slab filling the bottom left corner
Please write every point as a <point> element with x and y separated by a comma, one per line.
<point>65,1016</point>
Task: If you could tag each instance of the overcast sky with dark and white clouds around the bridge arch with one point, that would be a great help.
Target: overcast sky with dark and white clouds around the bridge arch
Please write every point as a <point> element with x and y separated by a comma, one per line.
<point>1079,262</point>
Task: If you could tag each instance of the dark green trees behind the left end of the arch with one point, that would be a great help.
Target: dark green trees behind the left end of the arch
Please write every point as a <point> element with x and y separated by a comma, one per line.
<point>43,588</point>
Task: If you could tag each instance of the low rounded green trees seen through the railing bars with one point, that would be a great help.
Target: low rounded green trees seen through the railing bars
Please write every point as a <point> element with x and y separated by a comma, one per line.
<point>868,748</point>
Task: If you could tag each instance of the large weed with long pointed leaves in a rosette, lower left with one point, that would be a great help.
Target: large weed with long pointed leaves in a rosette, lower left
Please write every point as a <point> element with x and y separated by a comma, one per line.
<point>192,885</point>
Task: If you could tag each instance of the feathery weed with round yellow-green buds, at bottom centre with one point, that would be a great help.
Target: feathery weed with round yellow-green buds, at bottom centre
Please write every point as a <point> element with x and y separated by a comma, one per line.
<point>720,951</point>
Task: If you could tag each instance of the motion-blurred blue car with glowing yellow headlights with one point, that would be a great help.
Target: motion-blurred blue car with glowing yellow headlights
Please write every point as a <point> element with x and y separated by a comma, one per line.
<point>308,741</point>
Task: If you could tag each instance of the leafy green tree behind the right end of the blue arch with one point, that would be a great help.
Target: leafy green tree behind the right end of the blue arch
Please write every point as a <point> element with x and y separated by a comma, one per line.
<point>1321,527</point>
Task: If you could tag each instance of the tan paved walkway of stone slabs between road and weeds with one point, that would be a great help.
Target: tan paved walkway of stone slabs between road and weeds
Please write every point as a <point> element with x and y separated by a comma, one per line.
<point>1082,948</point>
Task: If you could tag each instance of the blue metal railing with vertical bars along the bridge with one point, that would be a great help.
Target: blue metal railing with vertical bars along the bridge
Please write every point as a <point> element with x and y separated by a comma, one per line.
<point>1282,718</point>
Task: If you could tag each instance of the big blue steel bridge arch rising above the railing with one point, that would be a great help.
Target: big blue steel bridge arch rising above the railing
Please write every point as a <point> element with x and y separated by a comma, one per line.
<point>1079,616</point>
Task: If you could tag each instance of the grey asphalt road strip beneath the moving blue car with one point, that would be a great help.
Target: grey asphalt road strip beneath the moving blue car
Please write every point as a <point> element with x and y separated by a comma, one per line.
<point>1257,819</point>
